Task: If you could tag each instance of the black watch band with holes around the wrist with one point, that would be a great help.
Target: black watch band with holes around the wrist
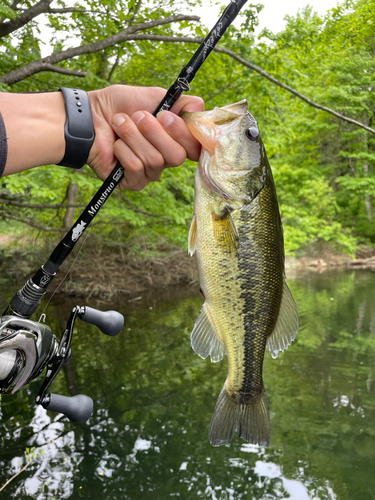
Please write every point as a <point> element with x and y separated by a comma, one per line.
<point>79,128</point>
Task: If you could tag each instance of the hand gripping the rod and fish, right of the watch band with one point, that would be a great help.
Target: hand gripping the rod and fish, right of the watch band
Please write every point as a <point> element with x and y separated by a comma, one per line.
<point>126,131</point>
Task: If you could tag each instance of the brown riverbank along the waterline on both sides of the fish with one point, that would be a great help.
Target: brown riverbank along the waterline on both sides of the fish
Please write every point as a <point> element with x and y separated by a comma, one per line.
<point>107,271</point>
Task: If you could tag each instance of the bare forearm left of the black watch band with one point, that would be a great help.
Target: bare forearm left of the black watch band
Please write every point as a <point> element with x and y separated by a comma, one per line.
<point>35,129</point>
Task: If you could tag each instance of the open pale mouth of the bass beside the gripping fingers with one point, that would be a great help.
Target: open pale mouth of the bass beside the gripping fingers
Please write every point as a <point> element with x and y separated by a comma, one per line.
<point>205,125</point>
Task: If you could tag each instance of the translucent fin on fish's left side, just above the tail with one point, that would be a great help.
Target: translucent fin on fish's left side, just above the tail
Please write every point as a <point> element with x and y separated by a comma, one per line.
<point>204,339</point>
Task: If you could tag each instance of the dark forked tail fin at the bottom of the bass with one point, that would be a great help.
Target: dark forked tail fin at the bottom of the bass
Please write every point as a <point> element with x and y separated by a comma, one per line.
<point>251,420</point>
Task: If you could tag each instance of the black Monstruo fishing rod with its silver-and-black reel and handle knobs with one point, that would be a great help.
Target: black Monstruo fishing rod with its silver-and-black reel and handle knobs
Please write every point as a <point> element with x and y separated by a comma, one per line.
<point>27,347</point>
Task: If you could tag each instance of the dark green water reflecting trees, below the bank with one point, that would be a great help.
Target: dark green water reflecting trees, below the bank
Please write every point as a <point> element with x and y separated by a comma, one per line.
<point>154,398</point>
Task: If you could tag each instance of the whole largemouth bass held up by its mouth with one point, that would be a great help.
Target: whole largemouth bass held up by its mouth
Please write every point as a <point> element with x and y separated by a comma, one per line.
<point>237,237</point>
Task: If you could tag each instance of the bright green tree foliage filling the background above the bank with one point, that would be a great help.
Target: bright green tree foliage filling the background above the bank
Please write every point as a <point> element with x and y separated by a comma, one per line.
<point>324,168</point>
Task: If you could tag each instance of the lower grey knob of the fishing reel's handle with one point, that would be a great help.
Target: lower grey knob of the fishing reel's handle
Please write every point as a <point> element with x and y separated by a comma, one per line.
<point>77,408</point>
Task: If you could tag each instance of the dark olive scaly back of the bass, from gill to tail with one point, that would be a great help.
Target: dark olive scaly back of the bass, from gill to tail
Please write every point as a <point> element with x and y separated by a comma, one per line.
<point>261,277</point>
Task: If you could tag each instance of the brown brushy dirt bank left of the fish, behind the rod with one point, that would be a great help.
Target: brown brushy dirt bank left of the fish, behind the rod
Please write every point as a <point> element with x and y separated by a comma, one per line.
<point>106,271</point>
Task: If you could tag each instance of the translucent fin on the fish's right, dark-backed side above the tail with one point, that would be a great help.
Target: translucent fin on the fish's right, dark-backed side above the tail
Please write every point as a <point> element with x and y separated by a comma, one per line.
<point>286,327</point>
